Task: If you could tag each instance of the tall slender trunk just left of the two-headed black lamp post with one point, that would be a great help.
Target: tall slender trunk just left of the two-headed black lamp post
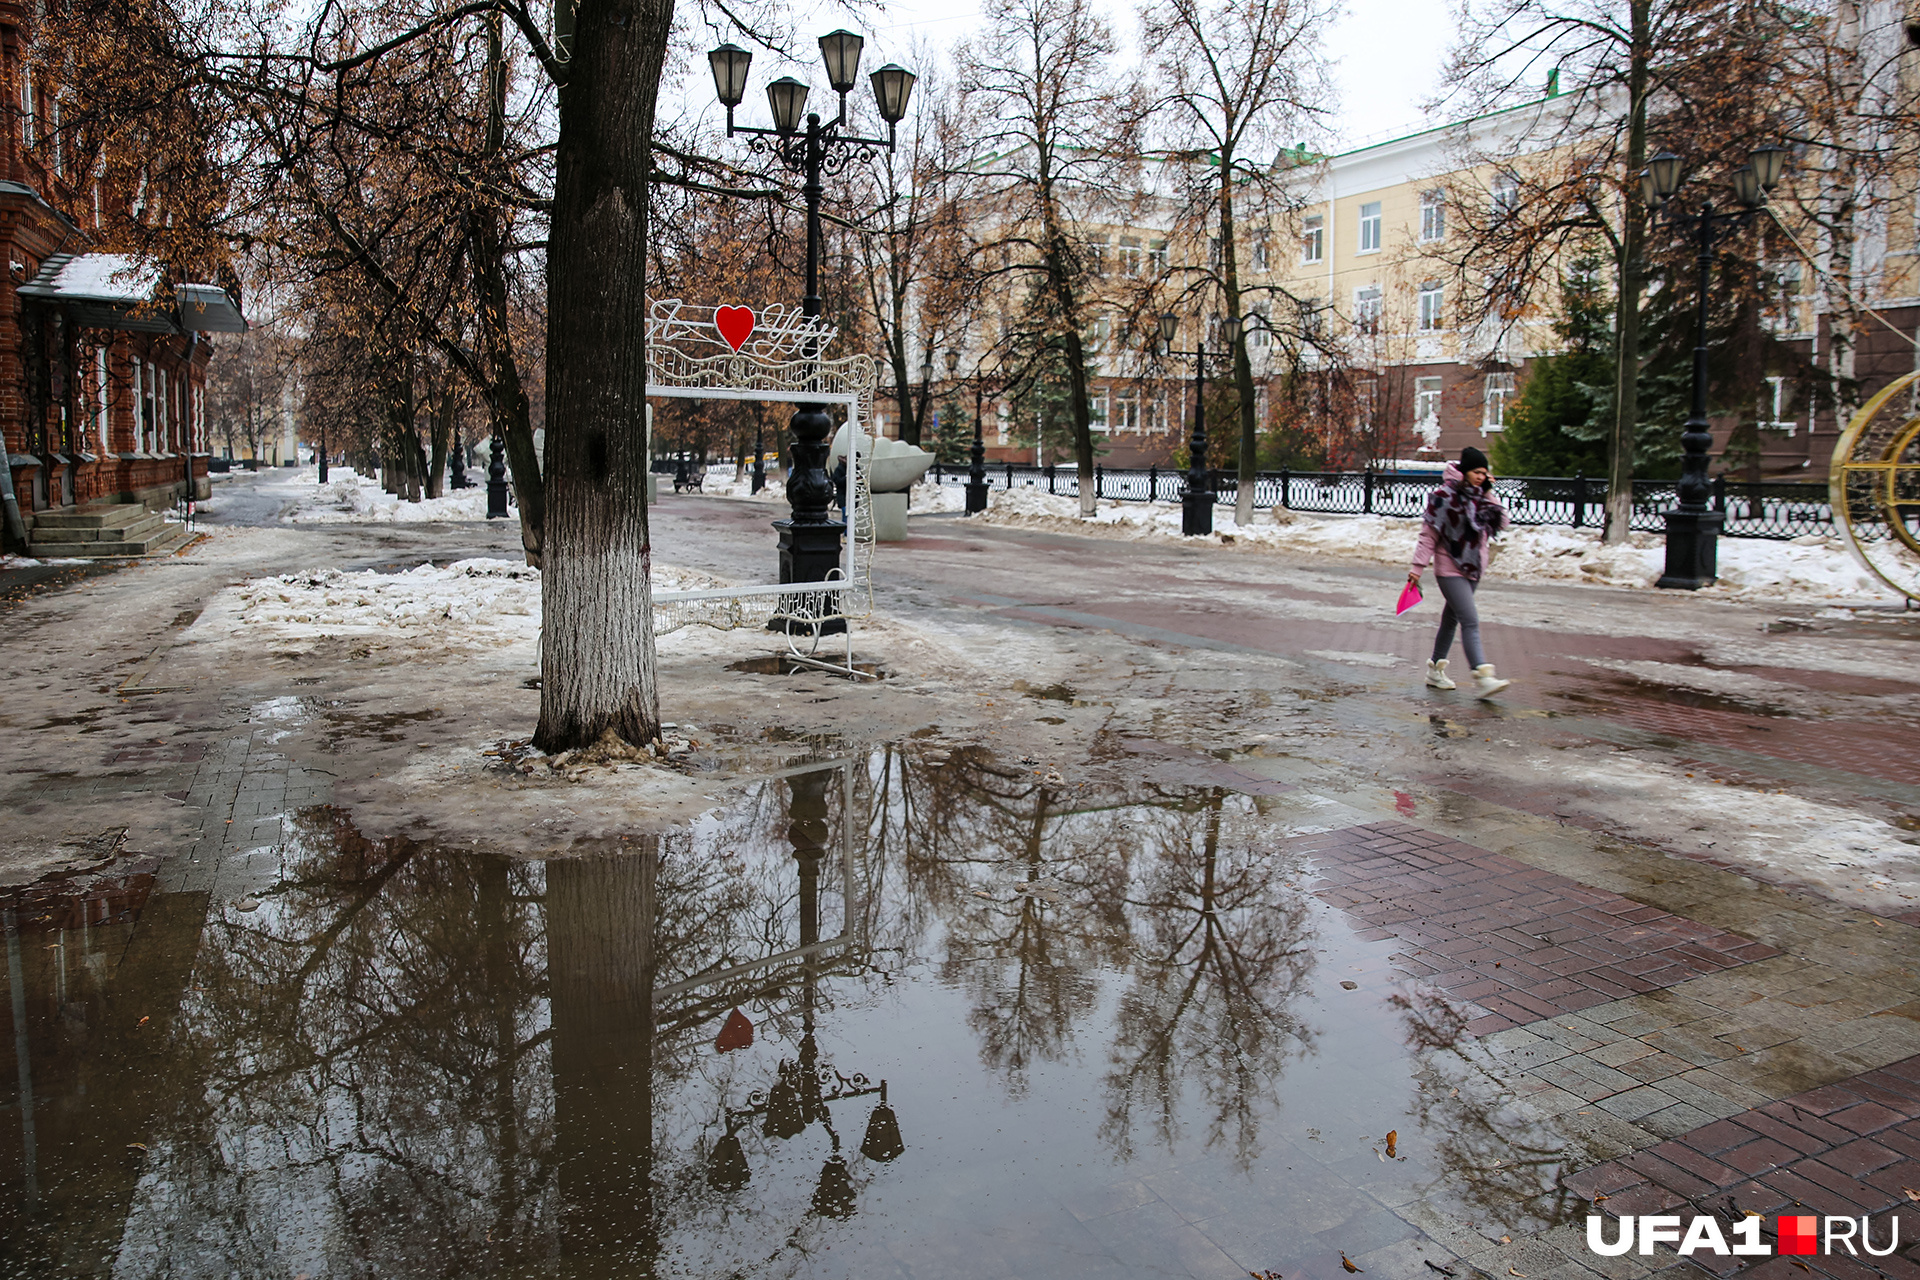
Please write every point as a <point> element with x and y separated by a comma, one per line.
<point>1631,275</point>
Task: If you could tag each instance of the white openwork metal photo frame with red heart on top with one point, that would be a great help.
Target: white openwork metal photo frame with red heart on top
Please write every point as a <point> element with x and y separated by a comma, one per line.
<point>782,362</point>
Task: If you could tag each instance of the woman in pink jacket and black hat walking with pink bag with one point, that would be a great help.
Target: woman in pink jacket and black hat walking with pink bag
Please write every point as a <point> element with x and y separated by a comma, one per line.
<point>1460,523</point>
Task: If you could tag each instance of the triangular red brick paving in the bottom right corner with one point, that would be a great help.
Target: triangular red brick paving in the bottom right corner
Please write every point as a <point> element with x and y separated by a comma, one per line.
<point>1842,1150</point>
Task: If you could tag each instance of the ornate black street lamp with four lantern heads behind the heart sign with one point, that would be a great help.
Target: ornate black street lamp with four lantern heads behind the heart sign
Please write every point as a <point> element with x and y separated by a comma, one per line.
<point>811,538</point>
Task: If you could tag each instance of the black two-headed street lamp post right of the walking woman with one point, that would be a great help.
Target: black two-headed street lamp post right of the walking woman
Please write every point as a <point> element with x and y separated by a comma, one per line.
<point>1692,531</point>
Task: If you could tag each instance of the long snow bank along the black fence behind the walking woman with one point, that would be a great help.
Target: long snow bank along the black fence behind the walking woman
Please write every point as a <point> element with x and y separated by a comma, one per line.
<point>1813,567</point>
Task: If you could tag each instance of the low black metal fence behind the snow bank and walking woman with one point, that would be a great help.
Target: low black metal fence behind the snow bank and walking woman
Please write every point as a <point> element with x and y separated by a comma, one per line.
<point>1765,510</point>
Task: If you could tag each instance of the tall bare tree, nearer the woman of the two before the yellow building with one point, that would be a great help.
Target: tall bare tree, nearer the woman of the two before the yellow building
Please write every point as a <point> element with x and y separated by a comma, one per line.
<point>1239,78</point>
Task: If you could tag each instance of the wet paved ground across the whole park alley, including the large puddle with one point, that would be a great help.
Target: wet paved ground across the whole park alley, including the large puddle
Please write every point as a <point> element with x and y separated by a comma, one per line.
<point>1170,937</point>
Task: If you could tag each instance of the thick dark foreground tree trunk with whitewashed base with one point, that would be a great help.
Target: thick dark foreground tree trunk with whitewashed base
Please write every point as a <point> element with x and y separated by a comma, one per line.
<point>596,655</point>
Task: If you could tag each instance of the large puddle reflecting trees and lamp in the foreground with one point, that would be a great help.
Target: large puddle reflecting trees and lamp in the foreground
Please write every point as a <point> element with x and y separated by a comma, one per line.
<point>911,1014</point>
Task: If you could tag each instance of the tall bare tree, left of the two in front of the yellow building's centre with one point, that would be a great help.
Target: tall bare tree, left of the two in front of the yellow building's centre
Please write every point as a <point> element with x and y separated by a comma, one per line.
<point>1055,135</point>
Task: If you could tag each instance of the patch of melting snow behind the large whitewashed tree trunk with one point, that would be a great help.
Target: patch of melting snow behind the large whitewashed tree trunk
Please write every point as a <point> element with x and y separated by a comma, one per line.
<point>479,600</point>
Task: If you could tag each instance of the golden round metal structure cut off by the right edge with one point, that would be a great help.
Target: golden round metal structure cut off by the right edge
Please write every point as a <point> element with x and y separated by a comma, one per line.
<point>1875,486</point>
